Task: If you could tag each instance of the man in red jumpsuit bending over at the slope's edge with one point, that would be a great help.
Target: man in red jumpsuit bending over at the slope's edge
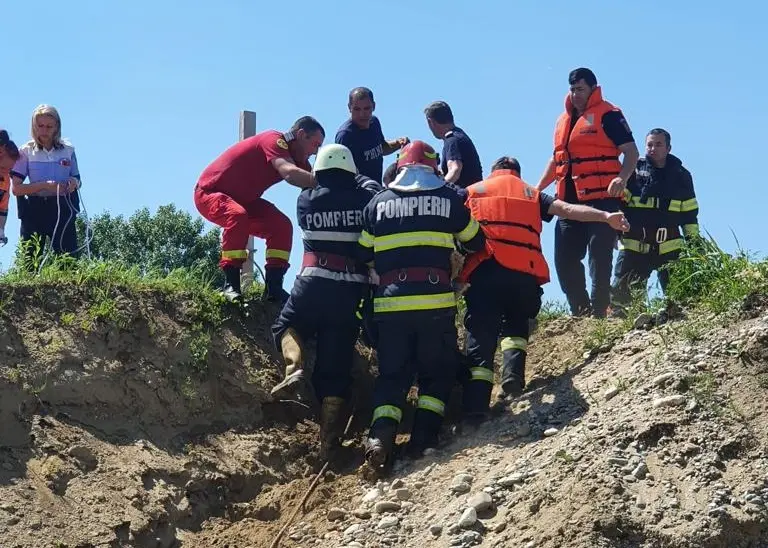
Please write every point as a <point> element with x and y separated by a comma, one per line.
<point>229,191</point>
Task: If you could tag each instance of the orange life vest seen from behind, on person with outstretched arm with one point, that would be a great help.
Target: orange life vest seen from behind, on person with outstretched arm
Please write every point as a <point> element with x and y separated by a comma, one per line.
<point>509,213</point>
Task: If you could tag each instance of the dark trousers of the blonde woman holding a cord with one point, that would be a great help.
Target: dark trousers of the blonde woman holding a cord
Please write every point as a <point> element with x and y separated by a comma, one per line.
<point>39,216</point>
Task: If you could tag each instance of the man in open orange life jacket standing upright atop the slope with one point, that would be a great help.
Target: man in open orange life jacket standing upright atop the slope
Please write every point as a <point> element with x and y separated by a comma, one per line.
<point>589,138</point>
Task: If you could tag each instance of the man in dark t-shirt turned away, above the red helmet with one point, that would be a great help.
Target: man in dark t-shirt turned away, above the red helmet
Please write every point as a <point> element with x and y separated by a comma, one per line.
<point>461,163</point>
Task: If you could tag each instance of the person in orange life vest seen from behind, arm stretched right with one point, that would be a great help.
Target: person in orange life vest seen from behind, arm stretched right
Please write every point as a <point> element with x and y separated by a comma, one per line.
<point>505,278</point>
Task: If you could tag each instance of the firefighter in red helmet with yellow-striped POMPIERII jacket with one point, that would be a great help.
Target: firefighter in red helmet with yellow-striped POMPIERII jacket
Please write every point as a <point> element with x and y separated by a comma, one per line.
<point>410,230</point>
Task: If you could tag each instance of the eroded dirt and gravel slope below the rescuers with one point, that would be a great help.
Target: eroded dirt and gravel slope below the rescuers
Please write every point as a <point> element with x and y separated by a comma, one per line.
<point>140,427</point>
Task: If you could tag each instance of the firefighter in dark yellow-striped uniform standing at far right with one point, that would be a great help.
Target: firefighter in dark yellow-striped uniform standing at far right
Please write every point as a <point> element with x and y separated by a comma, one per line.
<point>661,205</point>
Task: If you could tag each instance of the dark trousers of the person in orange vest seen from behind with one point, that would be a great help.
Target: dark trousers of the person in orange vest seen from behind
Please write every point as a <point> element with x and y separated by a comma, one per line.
<point>499,302</point>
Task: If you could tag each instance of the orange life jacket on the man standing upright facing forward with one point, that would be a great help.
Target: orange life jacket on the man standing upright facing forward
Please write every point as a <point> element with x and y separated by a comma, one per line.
<point>590,153</point>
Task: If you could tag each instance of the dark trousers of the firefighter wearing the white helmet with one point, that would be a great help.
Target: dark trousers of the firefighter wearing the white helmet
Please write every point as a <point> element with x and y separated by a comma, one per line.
<point>325,309</point>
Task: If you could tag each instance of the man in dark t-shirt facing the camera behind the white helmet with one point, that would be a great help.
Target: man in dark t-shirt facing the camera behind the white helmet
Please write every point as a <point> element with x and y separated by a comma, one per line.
<point>362,135</point>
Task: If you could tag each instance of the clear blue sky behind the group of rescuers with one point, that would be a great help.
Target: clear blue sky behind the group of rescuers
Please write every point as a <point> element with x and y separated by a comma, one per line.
<point>150,92</point>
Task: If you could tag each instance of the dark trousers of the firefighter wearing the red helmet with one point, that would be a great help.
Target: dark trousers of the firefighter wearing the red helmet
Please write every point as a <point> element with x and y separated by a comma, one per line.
<point>412,347</point>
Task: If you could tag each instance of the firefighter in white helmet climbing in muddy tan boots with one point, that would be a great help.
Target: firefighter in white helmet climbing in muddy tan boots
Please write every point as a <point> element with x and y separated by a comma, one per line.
<point>328,289</point>
